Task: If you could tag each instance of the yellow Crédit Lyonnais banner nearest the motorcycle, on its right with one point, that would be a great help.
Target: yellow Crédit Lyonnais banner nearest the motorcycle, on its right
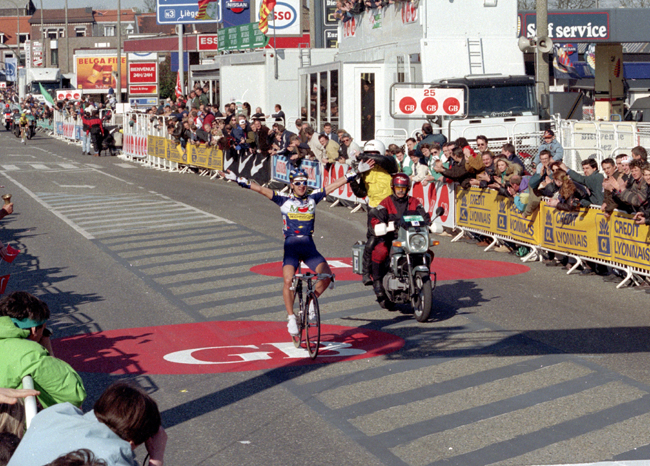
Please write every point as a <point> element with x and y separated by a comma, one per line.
<point>486,210</point>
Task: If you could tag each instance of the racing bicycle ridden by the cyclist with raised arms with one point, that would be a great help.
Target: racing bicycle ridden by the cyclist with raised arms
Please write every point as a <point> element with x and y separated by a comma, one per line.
<point>308,320</point>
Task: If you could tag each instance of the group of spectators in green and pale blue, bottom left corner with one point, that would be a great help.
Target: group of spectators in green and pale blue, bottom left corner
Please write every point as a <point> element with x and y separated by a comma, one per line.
<point>123,417</point>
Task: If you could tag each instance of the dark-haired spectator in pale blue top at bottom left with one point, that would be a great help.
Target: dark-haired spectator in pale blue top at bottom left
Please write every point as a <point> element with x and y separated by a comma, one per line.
<point>123,418</point>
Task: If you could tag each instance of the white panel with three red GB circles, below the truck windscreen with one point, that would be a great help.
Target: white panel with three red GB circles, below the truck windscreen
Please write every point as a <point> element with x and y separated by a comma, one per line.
<point>421,102</point>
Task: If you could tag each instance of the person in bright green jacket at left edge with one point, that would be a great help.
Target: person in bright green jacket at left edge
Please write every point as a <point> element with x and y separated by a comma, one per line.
<point>25,349</point>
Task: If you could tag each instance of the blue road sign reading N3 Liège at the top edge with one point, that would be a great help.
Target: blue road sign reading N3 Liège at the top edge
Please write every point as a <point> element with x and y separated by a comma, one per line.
<point>188,11</point>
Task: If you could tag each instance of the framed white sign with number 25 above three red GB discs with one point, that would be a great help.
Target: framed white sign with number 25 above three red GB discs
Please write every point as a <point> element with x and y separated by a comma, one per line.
<point>422,100</point>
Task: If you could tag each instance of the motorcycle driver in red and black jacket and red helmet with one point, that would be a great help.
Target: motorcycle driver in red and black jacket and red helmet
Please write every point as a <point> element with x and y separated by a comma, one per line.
<point>390,212</point>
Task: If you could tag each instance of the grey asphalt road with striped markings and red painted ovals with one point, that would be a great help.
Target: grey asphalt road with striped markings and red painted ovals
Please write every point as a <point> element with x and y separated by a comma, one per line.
<point>137,264</point>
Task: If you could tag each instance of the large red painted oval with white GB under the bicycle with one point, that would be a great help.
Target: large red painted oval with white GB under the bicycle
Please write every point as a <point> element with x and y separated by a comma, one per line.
<point>211,347</point>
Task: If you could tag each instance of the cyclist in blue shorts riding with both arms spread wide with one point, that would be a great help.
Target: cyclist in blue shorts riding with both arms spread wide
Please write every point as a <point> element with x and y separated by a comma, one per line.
<point>298,218</point>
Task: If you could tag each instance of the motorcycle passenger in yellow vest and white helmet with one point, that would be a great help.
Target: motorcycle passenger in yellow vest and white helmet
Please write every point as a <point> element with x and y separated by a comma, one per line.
<point>376,185</point>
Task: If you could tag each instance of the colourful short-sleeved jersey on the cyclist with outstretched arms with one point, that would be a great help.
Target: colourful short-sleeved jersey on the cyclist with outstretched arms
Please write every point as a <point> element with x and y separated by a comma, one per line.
<point>298,215</point>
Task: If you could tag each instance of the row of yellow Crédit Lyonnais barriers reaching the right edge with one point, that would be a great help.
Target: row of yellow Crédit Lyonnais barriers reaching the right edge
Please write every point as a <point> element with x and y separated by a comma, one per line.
<point>586,235</point>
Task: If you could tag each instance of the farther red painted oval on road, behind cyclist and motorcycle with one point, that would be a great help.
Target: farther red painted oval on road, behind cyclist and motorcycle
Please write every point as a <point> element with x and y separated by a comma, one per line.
<point>446,268</point>
